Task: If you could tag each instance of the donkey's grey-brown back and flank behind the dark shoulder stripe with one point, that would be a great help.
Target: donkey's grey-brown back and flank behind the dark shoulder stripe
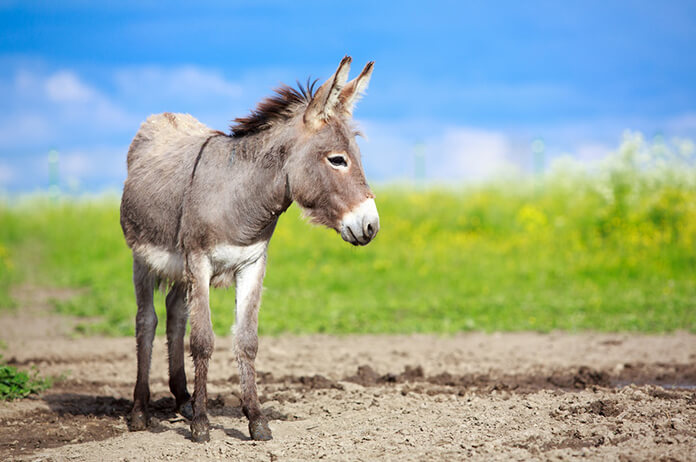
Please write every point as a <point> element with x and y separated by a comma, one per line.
<point>160,160</point>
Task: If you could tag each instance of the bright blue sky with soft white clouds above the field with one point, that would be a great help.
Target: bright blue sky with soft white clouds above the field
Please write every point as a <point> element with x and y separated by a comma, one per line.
<point>473,82</point>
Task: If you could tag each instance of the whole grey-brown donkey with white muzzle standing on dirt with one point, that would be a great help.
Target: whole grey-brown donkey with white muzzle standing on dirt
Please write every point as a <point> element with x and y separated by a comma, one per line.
<point>199,208</point>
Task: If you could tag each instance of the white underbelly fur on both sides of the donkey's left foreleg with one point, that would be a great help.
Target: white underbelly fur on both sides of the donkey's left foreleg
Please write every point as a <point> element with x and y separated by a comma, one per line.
<point>224,260</point>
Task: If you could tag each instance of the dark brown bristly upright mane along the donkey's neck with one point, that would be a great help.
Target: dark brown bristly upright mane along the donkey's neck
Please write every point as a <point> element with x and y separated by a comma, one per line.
<point>274,108</point>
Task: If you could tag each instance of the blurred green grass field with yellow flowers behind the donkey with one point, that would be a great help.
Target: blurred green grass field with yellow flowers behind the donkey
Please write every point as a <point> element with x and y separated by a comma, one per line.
<point>611,249</point>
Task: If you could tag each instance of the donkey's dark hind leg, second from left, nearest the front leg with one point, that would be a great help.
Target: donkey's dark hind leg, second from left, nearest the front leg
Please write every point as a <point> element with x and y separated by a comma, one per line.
<point>177,315</point>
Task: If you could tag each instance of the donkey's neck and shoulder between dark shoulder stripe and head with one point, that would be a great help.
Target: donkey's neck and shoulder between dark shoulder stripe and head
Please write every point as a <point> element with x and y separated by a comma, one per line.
<point>238,190</point>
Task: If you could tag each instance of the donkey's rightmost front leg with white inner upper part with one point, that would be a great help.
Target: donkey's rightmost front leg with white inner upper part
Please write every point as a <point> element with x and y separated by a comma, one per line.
<point>249,282</point>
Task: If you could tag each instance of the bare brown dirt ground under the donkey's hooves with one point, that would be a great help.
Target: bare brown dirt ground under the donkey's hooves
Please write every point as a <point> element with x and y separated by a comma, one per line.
<point>519,396</point>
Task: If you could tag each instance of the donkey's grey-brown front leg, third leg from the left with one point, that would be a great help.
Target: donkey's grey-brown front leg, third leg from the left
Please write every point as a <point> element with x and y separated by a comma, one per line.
<point>202,341</point>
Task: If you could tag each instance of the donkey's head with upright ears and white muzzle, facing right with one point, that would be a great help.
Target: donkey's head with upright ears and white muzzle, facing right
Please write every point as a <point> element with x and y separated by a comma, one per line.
<point>325,174</point>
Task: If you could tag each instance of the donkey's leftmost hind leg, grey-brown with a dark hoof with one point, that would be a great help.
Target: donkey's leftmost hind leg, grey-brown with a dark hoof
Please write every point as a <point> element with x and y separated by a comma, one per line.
<point>145,325</point>
